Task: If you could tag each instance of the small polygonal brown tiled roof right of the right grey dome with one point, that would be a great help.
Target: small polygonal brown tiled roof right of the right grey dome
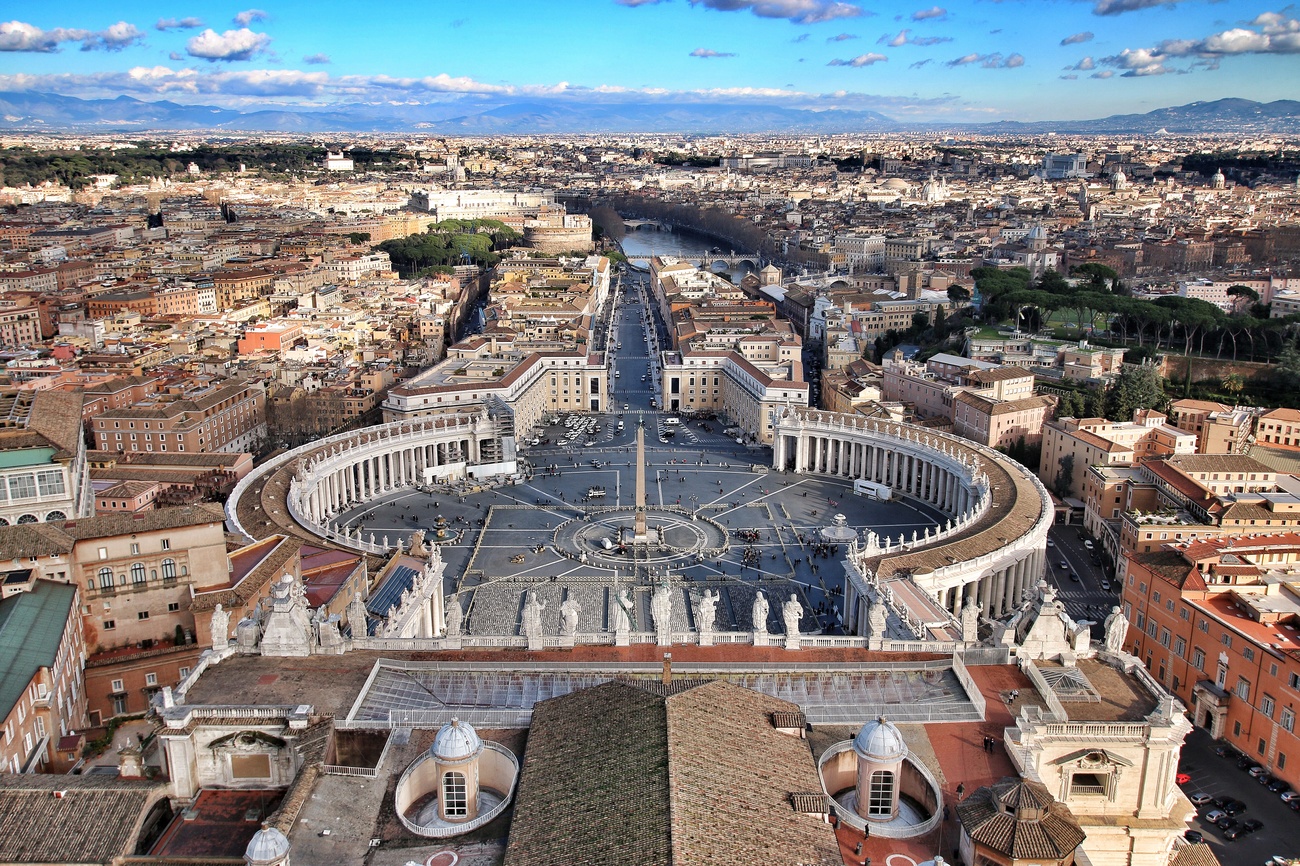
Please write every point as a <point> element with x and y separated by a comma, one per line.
<point>1020,820</point>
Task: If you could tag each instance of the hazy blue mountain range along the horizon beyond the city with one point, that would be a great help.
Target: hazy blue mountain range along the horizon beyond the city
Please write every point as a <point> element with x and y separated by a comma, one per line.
<point>51,112</point>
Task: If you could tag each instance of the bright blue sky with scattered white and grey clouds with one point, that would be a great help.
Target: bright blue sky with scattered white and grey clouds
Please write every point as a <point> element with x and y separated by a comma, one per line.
<point>960,60</point>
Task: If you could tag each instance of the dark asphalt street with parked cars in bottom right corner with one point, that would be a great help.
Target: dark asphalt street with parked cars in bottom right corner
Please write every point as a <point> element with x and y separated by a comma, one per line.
<point>1221,778</point>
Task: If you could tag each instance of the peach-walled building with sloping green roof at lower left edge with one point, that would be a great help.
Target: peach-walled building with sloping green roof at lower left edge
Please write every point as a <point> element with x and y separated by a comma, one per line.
<point>42,696</point>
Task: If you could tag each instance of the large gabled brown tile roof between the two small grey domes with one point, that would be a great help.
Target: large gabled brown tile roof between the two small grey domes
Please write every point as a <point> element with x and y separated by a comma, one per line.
<point>640,773</point>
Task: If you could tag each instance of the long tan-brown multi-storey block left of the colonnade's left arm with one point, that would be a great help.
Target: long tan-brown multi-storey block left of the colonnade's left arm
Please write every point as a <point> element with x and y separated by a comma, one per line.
<point>229,417</point>
